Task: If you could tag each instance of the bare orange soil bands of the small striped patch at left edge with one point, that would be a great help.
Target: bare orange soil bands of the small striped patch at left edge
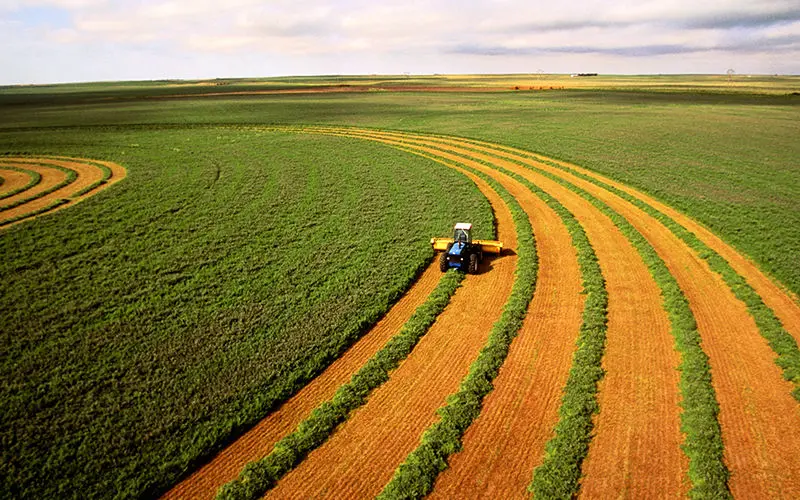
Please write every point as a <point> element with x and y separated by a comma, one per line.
<point>87,174</point>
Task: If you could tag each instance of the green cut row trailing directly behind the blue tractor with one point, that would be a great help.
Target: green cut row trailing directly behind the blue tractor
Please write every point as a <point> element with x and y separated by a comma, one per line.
<point>258,477</point>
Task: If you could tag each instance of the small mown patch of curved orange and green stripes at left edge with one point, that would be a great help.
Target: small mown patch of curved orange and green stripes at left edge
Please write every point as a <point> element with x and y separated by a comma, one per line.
<point>64,181</point>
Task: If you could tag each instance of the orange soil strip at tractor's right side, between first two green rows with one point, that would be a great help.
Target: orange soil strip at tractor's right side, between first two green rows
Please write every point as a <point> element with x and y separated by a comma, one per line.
<point>361,456</point>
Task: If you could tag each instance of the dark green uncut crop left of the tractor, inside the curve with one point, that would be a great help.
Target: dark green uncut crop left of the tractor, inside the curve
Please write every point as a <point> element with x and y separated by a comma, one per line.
<point>148,326</point>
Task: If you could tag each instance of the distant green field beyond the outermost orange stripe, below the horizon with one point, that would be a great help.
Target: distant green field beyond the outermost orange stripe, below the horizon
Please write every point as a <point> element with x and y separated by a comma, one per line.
<point>737,176</point>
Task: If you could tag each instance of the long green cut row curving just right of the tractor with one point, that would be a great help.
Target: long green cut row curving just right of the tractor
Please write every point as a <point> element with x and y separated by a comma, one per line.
<point>414,478</point>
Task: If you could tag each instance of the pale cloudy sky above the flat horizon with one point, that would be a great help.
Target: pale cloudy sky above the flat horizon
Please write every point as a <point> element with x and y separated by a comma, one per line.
<point>52,41</point>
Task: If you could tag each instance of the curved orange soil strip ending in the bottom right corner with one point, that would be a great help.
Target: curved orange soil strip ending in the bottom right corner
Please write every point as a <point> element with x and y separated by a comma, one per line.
<point>758,417</point>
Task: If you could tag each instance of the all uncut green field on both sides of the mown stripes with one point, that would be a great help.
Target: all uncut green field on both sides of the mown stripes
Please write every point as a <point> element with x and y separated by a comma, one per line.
<point>150,325</point>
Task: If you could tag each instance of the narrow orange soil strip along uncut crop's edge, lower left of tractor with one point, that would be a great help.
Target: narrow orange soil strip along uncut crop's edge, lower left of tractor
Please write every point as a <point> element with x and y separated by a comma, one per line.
<point>258,442</point>
